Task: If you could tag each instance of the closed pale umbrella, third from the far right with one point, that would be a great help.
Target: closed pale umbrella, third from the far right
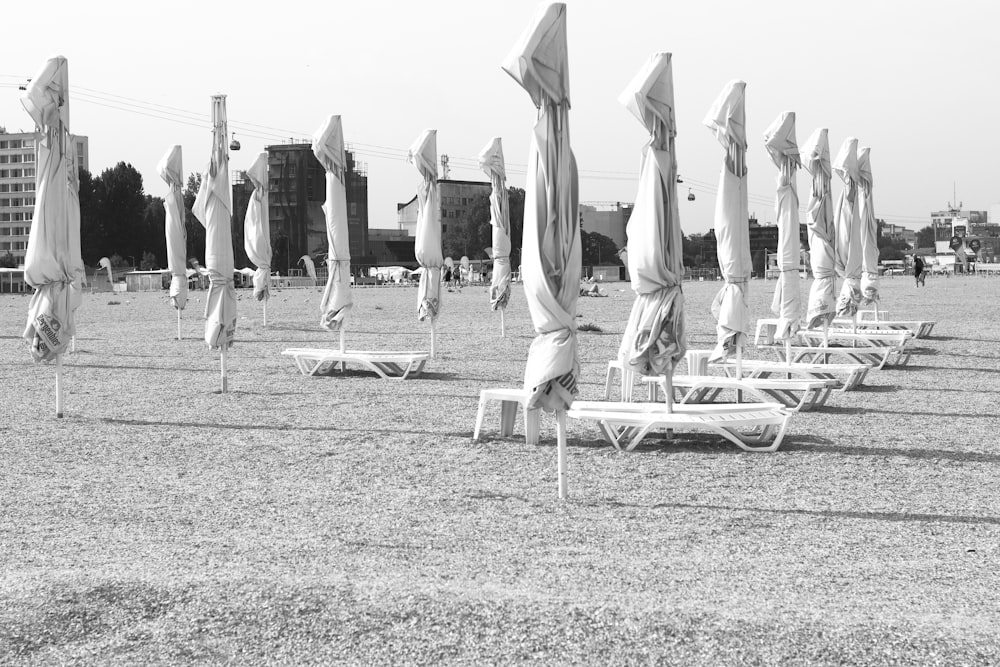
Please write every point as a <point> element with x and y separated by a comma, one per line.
<point>822,305</point>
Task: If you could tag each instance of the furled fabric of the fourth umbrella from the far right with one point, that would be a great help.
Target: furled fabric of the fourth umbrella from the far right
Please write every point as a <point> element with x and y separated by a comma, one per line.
<point>779,139</point>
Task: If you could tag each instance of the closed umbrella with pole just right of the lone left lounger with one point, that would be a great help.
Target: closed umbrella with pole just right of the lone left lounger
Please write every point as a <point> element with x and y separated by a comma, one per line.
<point>427,244</point>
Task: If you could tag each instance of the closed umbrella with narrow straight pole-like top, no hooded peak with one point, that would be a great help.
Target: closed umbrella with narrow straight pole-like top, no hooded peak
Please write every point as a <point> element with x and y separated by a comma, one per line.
<point>213,208</point>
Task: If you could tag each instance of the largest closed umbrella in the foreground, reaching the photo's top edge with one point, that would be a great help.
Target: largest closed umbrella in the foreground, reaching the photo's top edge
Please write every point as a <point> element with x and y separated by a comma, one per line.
<point>550,255</point>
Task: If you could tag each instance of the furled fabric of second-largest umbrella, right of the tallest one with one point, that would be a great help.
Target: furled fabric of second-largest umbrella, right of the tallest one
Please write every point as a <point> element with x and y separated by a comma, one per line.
<point>654,335</point>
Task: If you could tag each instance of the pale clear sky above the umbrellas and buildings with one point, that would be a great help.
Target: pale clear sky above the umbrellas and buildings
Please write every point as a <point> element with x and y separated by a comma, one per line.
<point>916,81</point>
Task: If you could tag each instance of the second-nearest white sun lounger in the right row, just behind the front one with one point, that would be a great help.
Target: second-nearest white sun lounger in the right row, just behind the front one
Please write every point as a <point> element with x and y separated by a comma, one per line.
<point>798,394</point>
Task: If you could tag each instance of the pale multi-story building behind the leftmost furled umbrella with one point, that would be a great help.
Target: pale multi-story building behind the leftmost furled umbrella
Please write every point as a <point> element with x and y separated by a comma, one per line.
<point>17,188</point>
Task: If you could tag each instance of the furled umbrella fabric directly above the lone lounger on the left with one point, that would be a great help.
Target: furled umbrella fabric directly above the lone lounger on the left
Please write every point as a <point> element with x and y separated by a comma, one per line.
<point>328,147</point>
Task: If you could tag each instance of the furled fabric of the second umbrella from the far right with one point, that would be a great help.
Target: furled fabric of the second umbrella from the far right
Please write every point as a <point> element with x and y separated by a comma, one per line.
<point>848,224</point>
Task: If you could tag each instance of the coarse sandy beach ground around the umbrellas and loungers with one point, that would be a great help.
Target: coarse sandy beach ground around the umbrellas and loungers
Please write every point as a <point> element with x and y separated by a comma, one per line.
<point>353,519</point>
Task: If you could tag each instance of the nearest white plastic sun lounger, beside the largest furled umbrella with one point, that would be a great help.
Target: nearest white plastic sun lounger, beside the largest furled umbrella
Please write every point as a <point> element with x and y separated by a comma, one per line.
<point>758,427</point>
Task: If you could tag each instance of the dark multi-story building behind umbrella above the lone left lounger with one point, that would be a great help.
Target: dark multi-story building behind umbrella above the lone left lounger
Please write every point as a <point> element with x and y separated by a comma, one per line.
<point>296,195</point>
